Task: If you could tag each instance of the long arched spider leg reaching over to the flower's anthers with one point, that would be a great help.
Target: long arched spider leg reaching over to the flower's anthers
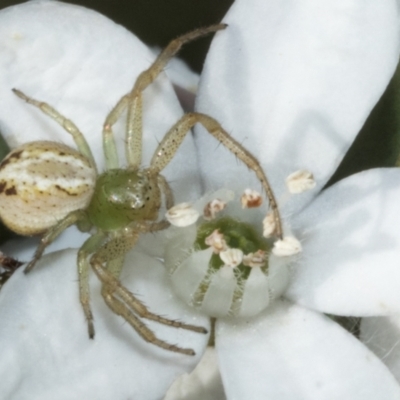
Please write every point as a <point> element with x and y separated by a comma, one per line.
<point>173,139</point>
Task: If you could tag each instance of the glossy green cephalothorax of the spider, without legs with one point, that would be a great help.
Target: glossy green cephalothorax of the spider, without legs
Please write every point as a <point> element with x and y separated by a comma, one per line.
<point>123,196</point>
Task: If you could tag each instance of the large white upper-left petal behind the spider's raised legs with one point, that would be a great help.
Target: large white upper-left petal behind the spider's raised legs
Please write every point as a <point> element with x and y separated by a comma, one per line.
<point>82,63</point>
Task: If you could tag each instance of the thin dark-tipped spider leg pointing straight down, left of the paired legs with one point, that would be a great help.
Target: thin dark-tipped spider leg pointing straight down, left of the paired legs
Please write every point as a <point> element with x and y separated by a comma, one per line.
<point>92,244</point>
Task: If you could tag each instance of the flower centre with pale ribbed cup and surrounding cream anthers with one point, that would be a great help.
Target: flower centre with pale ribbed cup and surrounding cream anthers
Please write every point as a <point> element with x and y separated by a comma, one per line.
<point>222,266</point>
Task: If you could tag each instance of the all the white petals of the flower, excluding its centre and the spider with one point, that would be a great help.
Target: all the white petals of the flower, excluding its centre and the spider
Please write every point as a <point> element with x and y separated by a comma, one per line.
<point>292,82</point>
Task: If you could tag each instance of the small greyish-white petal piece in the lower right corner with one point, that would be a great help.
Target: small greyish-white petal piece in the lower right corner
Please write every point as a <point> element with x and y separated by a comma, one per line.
<point>382,336</point>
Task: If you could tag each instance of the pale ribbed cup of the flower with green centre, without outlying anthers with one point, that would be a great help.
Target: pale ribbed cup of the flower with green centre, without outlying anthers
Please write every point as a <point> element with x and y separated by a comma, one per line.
<point>228,270</point>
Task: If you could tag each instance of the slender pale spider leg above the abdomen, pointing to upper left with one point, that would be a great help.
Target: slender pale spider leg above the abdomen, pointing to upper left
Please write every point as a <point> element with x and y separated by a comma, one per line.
<point>67,124</point>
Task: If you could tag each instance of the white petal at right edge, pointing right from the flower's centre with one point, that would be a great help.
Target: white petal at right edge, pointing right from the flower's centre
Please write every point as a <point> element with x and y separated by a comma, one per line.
<point>351,247</point>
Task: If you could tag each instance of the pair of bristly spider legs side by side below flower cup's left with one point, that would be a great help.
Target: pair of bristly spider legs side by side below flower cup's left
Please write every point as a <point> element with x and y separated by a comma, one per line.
<point>122,302</point>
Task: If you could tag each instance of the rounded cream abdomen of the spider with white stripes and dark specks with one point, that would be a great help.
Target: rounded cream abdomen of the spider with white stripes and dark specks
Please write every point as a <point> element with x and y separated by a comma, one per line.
<point>40,183</point>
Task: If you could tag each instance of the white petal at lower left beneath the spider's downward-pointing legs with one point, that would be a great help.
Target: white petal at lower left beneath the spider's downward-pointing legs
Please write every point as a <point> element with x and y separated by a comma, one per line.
<point>46,352</point>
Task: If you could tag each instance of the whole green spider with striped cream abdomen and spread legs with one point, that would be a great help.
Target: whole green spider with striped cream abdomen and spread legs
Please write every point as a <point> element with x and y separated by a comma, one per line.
<point>117,205</point>
